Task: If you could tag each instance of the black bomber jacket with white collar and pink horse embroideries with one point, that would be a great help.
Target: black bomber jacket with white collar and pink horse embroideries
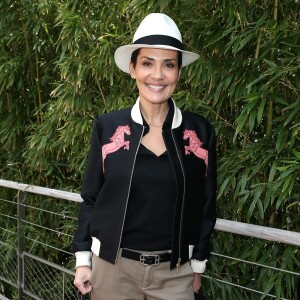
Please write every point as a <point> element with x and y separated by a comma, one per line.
<point>190,143</point>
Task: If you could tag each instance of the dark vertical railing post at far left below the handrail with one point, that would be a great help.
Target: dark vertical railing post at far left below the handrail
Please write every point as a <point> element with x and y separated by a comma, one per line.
<point>21,244</point>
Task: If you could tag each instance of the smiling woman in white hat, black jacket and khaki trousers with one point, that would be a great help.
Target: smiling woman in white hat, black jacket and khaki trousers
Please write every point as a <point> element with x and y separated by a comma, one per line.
<point>150,183</point>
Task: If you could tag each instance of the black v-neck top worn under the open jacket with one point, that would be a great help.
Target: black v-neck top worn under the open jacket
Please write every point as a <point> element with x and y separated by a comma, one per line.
<point>151,205</point>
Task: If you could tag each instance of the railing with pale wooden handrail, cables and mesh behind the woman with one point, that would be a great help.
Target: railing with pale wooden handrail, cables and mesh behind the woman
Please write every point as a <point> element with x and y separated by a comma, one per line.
<point>39,278</point>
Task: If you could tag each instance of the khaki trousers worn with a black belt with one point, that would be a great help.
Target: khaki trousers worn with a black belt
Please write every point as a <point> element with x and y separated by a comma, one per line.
<point>130,280</point>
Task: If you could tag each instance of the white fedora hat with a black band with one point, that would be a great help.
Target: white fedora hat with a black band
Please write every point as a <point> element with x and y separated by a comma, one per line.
<point>156,30</point>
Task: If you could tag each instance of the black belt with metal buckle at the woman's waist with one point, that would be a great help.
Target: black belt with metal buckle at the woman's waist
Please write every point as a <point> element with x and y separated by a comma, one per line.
<point>146,258</point>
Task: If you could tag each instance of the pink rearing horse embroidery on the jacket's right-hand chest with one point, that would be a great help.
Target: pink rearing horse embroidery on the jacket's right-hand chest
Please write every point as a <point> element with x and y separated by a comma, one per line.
<point>195,146</point>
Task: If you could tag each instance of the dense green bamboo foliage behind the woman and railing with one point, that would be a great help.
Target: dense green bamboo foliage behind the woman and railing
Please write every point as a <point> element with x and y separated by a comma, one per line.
<point>57,73</point>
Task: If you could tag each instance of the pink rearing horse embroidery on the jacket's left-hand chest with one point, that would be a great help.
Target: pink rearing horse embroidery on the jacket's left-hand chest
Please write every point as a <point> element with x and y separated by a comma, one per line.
<point>117,142</point>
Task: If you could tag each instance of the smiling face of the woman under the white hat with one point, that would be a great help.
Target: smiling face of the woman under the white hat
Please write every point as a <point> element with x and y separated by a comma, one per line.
<point>156,73</point>
